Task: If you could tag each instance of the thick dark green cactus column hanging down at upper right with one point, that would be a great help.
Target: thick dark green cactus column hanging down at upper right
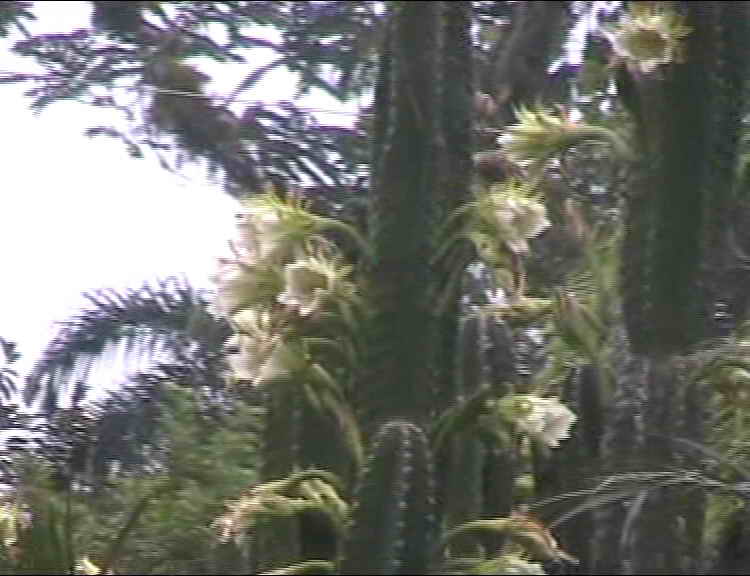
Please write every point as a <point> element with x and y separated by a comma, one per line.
<point>687,124</point>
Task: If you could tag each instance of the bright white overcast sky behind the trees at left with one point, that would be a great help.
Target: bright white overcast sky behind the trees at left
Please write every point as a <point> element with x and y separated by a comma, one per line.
<point>77,214</point>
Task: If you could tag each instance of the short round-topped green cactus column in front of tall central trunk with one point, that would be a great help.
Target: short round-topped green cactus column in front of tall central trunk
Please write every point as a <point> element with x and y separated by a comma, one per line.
<point>393,522</point>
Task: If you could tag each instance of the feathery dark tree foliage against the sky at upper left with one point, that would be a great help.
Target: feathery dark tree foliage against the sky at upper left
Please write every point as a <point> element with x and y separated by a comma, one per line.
<point>155,51</point>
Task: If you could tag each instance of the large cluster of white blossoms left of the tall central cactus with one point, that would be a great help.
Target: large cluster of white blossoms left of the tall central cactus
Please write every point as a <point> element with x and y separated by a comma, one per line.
<point>280,269</point>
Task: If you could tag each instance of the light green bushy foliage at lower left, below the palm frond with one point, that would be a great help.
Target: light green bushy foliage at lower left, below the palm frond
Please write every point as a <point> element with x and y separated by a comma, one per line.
<point>137,523</point>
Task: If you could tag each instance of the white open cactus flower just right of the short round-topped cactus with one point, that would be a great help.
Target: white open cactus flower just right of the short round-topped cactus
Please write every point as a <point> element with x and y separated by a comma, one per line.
<point>545,419</point>
